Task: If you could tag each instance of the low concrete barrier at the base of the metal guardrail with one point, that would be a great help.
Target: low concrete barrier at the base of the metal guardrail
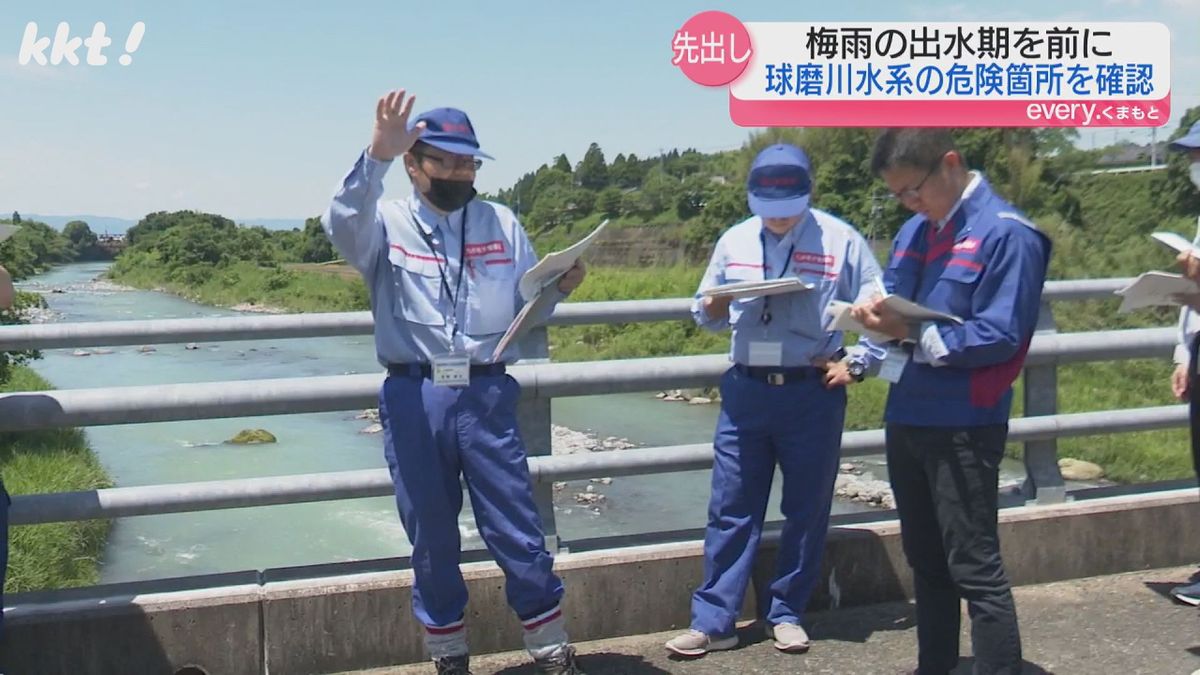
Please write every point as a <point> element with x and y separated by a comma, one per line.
<point>347,623</point>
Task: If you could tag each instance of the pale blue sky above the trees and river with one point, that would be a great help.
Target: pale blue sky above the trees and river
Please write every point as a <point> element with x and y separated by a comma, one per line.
<point>255,110</point>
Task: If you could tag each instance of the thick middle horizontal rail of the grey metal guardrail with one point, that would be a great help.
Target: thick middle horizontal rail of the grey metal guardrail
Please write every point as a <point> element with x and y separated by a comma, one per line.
<point>26,411</point>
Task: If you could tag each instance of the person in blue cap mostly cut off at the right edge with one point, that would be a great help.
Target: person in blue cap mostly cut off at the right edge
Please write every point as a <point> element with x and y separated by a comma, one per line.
<point>1184,380</point>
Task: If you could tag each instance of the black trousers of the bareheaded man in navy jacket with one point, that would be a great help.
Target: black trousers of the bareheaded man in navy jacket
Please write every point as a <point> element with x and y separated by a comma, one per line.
<point>945,481</point>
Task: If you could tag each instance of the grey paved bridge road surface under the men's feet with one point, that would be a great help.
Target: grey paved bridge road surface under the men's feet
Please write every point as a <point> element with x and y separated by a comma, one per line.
<point>1120,625</point>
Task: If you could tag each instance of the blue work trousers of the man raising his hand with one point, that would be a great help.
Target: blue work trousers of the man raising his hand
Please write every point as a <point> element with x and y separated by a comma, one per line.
<point>433,435</point>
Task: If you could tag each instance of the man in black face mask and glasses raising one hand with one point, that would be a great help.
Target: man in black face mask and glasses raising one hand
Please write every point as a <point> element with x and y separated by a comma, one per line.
<point>443,271</point>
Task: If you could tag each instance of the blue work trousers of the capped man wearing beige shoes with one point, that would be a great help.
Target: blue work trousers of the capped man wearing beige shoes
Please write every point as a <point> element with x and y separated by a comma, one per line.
<point>799,426</point>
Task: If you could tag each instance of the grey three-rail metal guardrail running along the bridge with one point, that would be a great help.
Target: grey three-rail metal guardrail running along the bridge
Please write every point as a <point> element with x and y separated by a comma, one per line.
<point>542,381</point>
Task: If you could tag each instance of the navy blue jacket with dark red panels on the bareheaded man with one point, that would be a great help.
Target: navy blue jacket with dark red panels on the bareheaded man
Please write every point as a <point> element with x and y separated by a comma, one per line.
<point>987,266</point>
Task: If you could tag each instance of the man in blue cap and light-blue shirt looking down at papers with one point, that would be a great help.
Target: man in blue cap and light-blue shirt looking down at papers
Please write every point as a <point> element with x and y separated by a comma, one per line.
<point>784,401</point>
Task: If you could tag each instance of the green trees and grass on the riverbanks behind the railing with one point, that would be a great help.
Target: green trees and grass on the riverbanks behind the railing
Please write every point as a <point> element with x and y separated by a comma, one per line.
<point>674,208</point>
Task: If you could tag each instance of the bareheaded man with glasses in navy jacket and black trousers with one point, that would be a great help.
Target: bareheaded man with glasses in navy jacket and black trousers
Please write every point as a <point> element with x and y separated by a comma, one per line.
<point>970,254</point>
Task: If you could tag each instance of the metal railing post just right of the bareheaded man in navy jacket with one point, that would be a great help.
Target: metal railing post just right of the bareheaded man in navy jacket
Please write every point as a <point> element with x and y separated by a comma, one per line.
<point>1043,480</point>
